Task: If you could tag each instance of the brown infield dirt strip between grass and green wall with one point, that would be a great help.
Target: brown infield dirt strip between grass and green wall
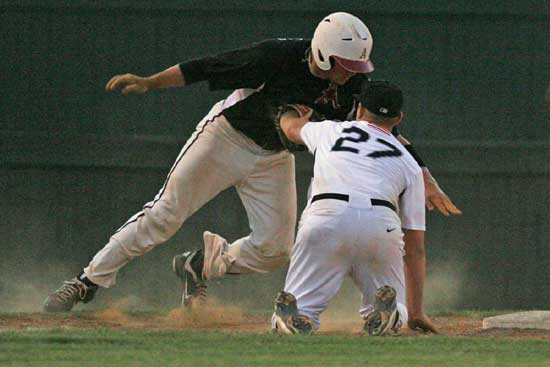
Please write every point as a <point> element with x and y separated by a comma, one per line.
<point>232,319</point>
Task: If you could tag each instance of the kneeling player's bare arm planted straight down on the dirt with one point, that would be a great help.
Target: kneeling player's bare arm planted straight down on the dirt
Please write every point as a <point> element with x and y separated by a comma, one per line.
<point>415,274</point>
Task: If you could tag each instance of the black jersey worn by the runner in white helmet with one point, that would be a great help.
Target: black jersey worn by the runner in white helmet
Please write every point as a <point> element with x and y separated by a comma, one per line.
<point>279,70</point>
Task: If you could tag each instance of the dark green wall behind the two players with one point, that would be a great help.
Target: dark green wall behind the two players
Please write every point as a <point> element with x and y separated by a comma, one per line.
<point>77,161</point>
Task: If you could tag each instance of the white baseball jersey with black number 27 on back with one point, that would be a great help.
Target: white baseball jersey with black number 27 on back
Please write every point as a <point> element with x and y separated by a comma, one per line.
<point>364,161</point>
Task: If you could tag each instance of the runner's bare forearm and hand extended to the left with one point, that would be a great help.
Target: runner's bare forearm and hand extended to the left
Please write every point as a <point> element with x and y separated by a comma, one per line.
<point>130,83</point>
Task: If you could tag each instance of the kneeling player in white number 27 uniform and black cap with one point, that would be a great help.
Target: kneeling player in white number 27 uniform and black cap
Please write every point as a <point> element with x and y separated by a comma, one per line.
<point>367,192</point>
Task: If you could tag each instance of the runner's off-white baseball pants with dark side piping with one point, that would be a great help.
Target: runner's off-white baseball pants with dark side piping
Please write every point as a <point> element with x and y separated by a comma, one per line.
<point>215,158</point>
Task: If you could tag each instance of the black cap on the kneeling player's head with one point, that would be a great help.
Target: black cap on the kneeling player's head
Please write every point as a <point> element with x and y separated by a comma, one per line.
<point>381,98</point>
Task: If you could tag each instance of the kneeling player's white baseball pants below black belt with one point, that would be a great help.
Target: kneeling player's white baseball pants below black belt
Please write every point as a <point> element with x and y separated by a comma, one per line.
<point>338,238</point>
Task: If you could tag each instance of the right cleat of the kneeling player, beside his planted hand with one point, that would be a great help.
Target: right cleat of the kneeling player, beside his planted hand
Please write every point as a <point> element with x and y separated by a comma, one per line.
<point>384,319</point>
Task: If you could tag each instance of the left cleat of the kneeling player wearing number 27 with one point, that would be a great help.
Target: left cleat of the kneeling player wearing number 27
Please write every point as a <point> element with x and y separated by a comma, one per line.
<point>286,318</point>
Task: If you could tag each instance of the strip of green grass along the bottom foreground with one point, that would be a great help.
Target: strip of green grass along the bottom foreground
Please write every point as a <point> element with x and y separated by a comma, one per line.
<point>107,347</point>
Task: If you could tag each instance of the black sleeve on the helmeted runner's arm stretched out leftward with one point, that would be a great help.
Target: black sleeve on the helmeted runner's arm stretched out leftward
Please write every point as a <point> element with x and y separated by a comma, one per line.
<point>243,68</point>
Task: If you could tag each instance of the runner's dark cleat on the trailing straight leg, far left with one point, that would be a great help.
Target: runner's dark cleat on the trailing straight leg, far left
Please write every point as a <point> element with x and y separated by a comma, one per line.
<point>69,294</point>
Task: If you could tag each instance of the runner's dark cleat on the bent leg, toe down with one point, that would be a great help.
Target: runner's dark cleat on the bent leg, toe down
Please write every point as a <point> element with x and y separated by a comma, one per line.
<point>188,267</point>
